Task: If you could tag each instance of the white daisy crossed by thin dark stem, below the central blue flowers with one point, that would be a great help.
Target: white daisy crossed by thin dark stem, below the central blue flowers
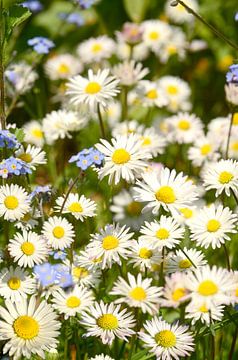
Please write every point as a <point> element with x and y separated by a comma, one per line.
<point>79,206</point>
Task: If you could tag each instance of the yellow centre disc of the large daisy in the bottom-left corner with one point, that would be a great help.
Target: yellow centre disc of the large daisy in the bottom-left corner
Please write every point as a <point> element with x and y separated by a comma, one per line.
<point>26,327</point>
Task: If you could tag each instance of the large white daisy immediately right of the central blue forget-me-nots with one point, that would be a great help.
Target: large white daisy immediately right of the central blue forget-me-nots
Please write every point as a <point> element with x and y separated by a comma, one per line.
<point>123,159</point>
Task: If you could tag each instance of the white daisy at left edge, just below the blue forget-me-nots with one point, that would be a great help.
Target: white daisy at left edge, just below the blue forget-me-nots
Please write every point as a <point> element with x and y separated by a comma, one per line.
<point>14,202</point>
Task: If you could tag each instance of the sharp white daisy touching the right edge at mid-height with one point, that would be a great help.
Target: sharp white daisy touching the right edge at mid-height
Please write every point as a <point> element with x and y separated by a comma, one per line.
<point>222,176</point>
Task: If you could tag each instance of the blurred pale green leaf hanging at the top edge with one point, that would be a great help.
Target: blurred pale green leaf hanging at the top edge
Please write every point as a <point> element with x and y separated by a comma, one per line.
<point>136,9</point>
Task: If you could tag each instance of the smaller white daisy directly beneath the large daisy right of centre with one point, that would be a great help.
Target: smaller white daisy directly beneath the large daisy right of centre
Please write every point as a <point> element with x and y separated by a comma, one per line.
<point>163,233</point>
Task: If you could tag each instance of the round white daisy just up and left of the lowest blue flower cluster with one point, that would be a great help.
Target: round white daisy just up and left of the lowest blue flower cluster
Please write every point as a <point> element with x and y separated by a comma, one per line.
<point>28,249</point>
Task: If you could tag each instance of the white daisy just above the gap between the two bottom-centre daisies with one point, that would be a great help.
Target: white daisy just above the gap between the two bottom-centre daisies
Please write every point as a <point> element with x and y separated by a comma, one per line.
<point>137,293</point>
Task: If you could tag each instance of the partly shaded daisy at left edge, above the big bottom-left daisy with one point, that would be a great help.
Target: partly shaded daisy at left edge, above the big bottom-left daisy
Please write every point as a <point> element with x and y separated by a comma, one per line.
<point>16,283</point>
